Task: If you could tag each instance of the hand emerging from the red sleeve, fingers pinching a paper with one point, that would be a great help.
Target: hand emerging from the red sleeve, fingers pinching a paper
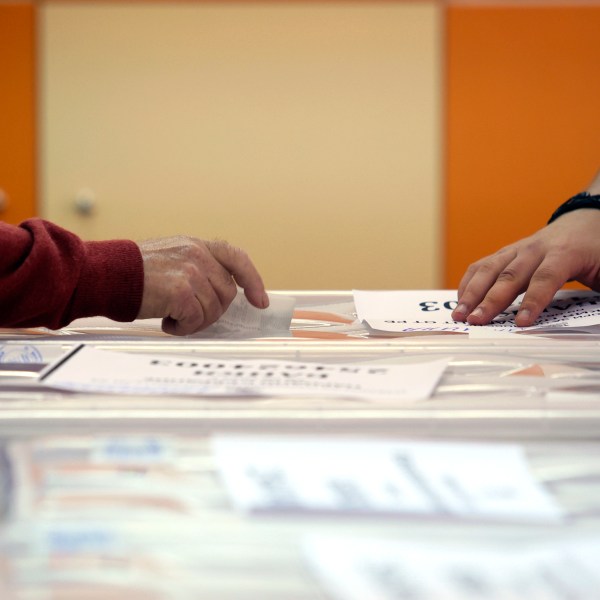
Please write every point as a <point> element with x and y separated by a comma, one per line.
<point>190,282</point>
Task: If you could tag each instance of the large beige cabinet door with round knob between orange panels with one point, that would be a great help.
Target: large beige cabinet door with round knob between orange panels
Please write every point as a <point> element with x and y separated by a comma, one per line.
<point>307,134</point>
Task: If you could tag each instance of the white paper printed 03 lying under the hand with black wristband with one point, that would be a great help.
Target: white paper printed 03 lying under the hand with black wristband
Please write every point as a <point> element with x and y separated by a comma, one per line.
<point>408,311</point>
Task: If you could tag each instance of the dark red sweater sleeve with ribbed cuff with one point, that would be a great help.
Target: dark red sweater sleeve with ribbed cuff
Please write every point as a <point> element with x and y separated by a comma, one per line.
<point>49,276</point>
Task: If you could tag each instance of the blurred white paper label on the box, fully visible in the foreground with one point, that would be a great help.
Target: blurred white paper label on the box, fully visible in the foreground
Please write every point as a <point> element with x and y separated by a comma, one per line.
<point>428,479</point>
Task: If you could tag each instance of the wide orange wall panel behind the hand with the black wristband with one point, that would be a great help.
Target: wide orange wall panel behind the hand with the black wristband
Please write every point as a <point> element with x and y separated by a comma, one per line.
<point>523,121</point>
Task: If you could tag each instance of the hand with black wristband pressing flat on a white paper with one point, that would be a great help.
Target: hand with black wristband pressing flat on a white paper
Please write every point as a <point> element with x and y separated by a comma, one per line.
<point>539,265</point>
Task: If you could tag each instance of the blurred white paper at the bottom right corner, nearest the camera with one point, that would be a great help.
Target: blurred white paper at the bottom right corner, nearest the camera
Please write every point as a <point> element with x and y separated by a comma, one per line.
<point>356,569</point>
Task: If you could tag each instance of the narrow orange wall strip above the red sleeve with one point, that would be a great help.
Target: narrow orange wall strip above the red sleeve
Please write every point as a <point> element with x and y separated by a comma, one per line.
<point>17,109</point>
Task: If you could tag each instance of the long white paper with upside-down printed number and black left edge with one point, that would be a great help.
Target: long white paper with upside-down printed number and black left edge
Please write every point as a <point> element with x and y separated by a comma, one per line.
<point>88,369</point>
